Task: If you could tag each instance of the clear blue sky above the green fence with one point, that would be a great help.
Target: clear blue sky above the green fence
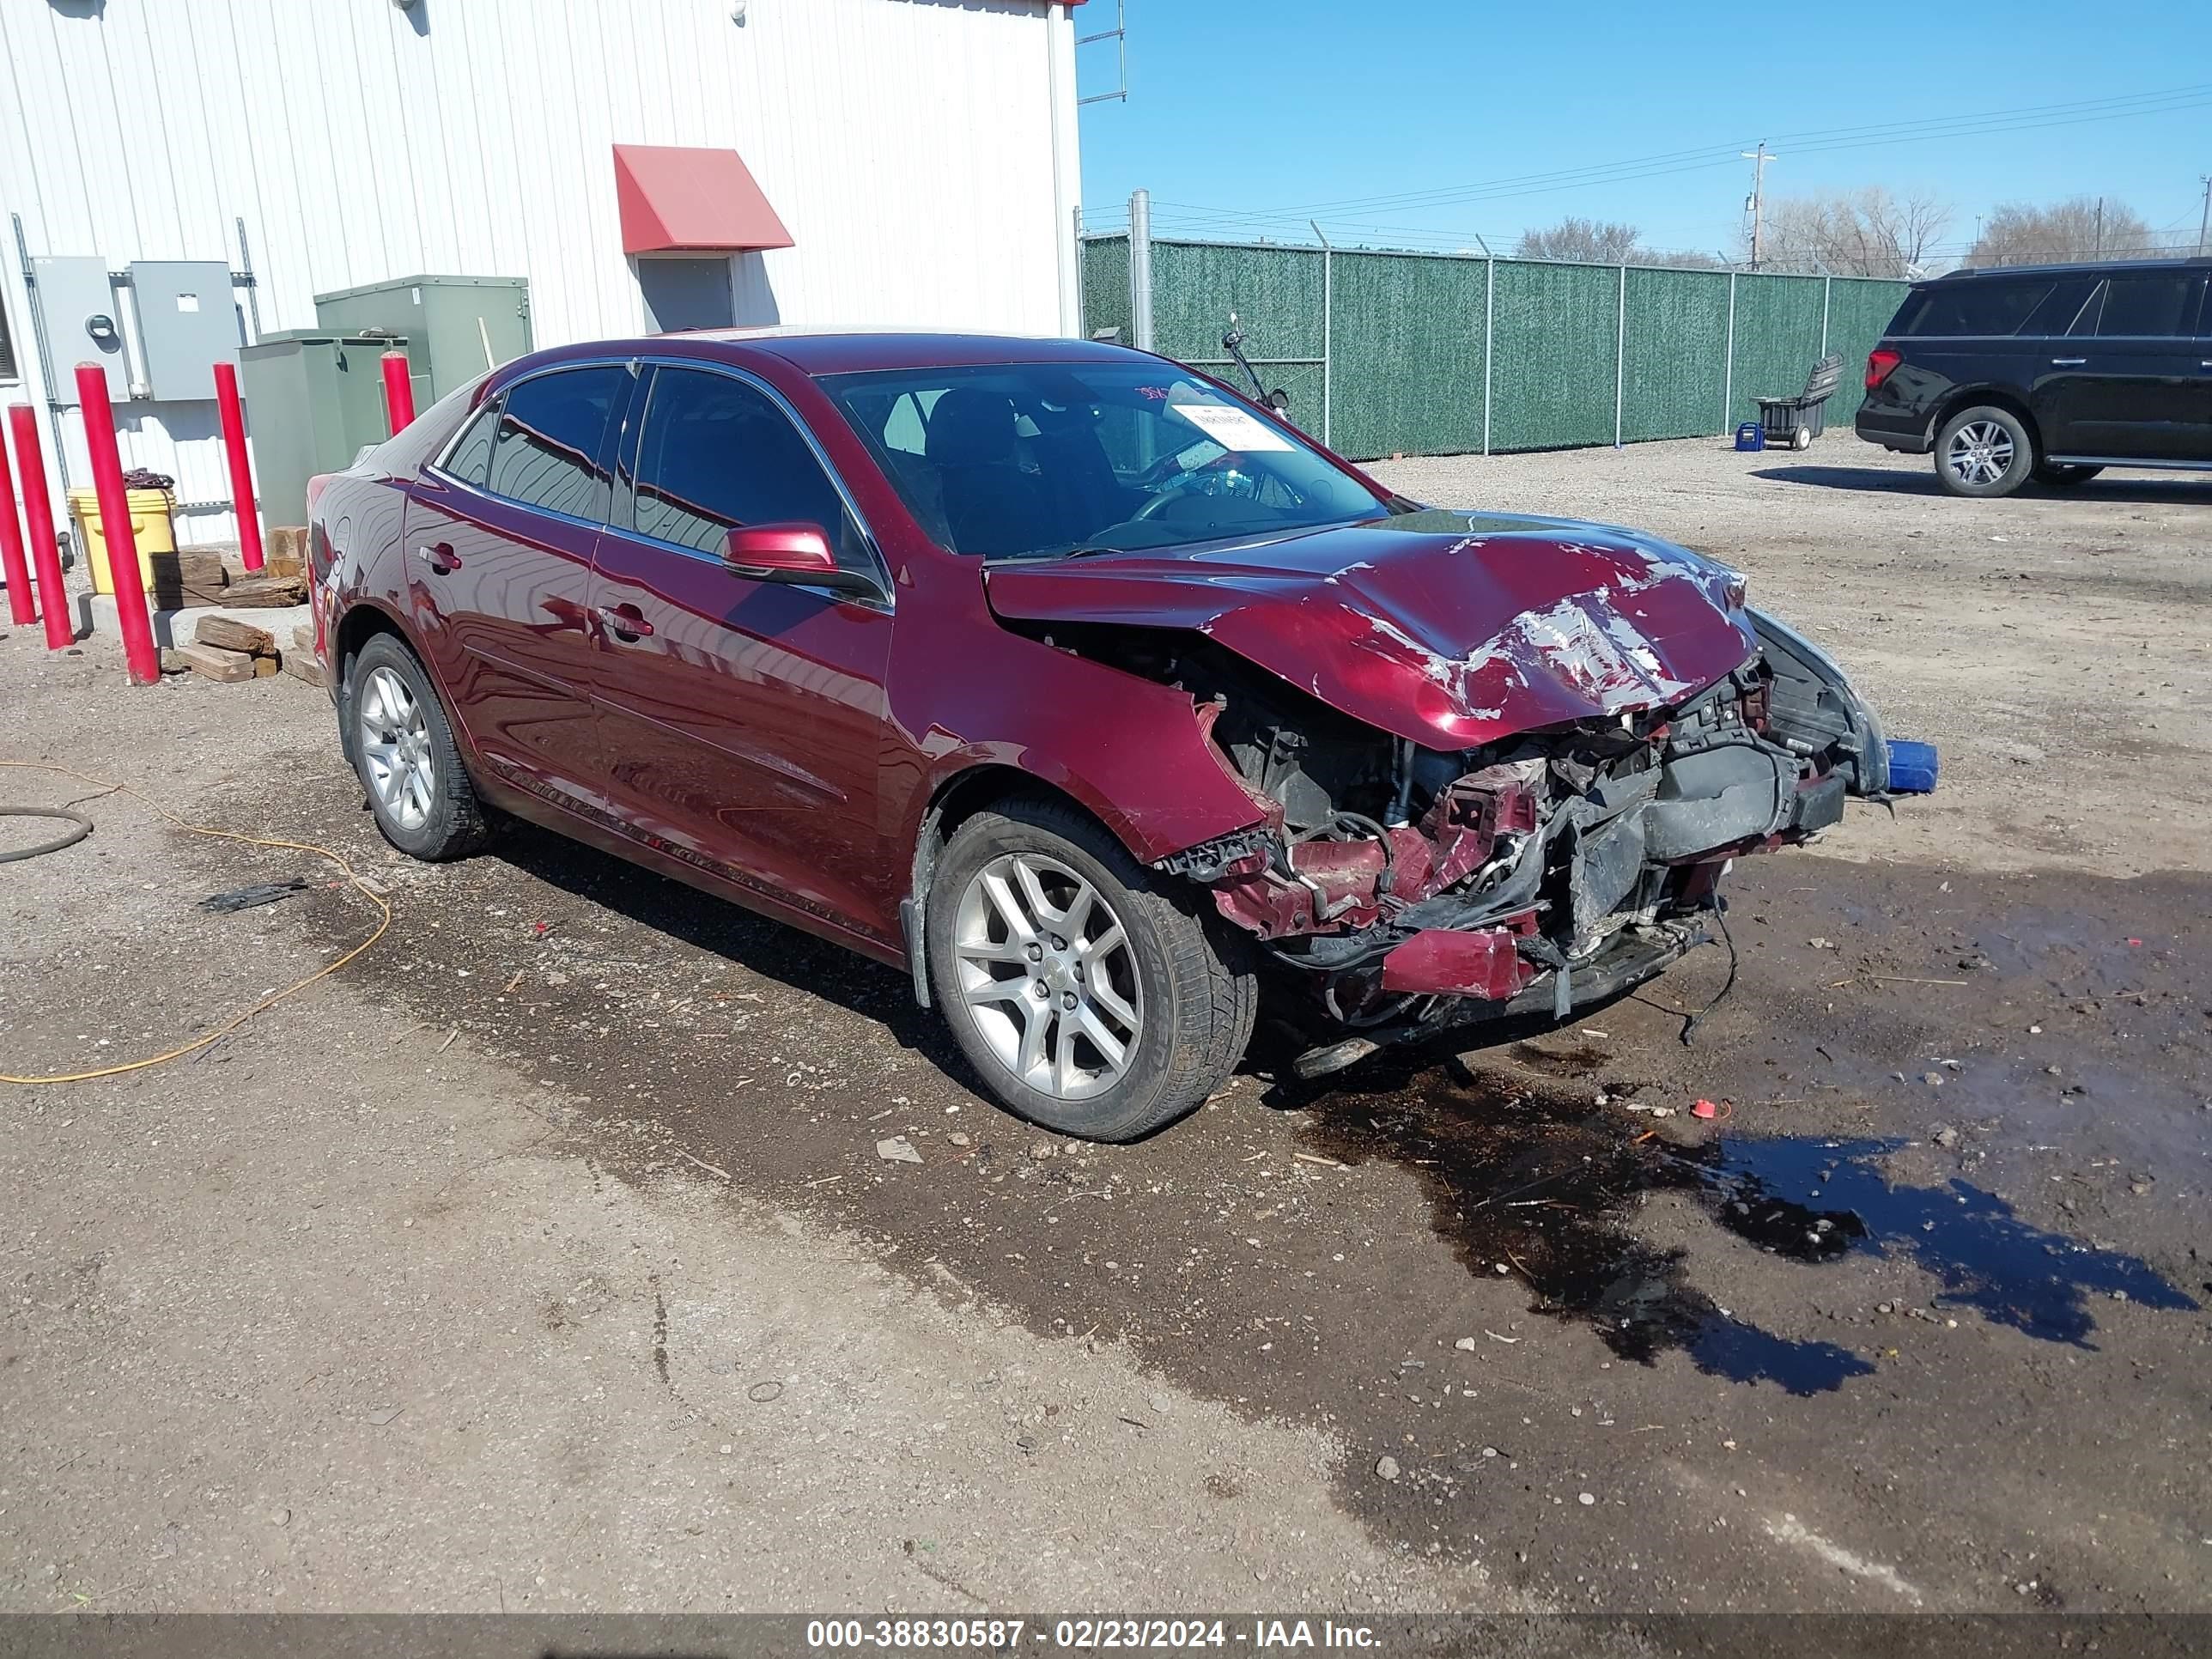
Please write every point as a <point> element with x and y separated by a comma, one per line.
<point>1266,107</point>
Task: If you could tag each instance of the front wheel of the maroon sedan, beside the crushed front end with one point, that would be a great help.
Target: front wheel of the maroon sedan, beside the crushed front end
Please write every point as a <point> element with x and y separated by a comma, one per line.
<point>1092,999</point>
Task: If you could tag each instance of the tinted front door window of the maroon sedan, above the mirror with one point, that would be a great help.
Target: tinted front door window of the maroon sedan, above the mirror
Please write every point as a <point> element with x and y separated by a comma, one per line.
<point>718,455</point>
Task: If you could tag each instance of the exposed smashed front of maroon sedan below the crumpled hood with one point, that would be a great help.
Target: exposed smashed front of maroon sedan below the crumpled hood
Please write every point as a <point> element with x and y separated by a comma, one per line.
<point>1408,888</point>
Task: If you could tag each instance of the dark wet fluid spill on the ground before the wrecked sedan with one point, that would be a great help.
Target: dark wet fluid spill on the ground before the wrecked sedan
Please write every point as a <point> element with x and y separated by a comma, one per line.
<point>1527,1176</point>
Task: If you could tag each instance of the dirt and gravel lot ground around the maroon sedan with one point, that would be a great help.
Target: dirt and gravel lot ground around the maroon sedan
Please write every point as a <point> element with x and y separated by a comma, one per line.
<point>545,1260</point>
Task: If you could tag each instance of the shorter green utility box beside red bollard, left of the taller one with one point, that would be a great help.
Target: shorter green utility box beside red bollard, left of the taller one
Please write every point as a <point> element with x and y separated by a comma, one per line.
<point>311,404</point>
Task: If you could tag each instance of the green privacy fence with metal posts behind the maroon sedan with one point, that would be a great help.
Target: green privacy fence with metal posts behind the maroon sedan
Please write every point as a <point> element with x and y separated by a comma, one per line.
<point>1439,355</point>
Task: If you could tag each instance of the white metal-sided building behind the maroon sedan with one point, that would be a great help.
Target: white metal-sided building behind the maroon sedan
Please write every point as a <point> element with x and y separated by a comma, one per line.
<point>919,158</point>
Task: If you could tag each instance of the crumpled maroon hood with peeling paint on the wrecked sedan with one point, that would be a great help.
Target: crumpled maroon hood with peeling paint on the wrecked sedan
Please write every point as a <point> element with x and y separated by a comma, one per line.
<point>1450,629</point>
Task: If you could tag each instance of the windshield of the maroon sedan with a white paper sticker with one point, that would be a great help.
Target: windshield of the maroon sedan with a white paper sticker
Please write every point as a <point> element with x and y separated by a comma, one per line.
<point>1047,459</point>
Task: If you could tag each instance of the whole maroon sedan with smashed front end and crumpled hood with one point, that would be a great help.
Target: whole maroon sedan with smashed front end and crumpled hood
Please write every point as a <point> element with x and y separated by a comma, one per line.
<point>1094,696</point>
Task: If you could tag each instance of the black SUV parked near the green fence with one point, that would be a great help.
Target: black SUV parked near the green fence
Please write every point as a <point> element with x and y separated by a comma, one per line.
<point>2047,373</point>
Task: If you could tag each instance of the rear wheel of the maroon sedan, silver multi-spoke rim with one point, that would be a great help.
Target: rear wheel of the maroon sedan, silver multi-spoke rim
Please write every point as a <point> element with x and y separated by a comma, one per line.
<point>404,749</point>
